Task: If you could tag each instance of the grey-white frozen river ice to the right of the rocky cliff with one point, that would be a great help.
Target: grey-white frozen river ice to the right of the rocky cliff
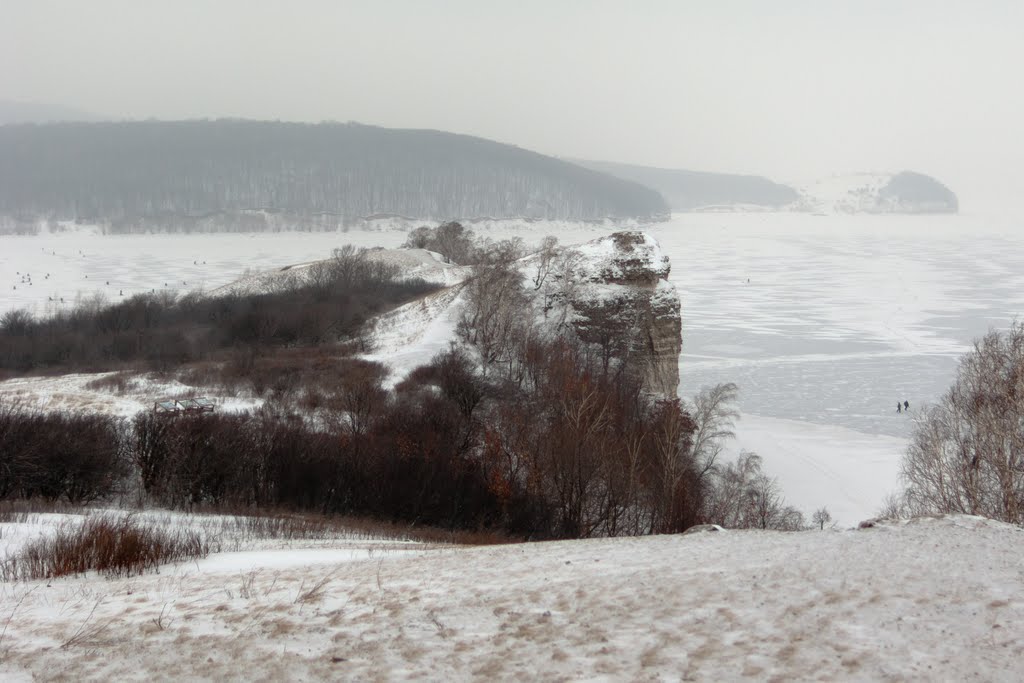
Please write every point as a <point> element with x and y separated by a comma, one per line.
<point>833,320</point>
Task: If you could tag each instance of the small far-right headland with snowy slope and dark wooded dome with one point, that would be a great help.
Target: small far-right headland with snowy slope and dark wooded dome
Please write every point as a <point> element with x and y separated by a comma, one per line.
<point>878,193</point>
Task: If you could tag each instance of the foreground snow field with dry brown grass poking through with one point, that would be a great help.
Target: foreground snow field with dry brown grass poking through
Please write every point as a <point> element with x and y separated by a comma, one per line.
<point>930,600</point>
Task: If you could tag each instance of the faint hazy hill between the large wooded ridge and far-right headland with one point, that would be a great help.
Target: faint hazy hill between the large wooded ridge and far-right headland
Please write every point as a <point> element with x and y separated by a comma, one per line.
<point>687,191</point>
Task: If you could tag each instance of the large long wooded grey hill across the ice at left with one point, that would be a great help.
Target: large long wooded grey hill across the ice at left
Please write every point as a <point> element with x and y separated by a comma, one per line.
<point>162,176</point>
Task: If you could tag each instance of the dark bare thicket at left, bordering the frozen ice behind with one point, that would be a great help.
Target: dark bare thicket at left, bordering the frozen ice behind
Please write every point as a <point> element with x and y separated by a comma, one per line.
<point>166,331</point>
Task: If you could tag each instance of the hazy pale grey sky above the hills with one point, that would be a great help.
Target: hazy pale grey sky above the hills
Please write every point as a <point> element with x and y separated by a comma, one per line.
<point>791,90</point>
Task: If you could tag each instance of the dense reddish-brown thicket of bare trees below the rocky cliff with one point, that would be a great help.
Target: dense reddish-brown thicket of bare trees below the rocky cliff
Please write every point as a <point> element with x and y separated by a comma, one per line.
<point>567,454</point>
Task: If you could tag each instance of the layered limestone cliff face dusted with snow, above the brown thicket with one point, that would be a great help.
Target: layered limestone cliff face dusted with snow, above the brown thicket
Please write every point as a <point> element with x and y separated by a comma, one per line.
<point>623,303</point>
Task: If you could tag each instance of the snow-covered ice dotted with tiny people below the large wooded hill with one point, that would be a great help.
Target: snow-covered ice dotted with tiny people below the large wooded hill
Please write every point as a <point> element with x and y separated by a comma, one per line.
<point>82,264</point>
